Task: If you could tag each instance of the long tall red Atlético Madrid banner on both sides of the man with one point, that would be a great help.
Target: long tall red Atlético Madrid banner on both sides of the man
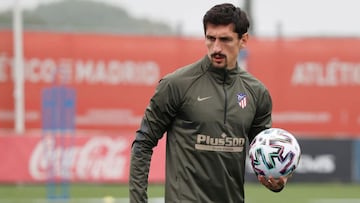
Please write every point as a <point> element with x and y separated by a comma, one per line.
<point>314,82</point>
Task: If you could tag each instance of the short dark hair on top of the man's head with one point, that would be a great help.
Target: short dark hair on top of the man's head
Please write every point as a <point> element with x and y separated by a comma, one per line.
<point>225,14</point>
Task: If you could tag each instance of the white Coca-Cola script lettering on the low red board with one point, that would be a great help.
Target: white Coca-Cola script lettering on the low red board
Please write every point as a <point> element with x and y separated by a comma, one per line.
<point>99,158</point>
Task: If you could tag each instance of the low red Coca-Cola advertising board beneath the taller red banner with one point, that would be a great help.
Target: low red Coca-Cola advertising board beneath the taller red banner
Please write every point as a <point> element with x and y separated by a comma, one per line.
<point>80,158</point>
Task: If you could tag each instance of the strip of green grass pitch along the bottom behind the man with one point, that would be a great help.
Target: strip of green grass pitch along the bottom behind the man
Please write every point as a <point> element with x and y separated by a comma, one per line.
<point>255,193</point>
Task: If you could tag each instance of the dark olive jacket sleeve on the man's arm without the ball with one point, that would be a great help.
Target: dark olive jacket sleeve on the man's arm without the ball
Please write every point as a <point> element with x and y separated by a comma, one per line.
<point>158,116</point>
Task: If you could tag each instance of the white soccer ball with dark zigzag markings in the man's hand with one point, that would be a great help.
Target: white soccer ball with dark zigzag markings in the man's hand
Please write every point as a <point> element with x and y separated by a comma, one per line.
<point>274,152</point>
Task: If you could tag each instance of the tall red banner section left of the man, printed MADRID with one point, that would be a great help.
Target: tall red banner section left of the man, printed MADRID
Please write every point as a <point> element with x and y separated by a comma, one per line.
<point>114,76</point>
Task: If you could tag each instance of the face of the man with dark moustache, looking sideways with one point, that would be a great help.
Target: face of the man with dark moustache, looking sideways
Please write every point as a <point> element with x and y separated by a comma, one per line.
<point>223,45</point>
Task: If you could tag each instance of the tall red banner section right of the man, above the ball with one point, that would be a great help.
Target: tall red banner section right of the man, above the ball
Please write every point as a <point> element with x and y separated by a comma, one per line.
<point>315,83</point>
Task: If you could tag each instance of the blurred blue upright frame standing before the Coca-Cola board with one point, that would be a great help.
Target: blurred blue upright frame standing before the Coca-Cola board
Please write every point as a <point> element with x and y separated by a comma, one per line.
<point>58,123</point>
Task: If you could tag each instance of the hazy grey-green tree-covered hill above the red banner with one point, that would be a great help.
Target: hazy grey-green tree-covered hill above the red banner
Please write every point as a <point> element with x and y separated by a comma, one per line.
<point>86,16</point>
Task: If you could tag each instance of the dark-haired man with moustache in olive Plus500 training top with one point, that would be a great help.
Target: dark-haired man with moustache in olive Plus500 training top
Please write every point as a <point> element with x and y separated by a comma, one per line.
<point>209,110</point>
